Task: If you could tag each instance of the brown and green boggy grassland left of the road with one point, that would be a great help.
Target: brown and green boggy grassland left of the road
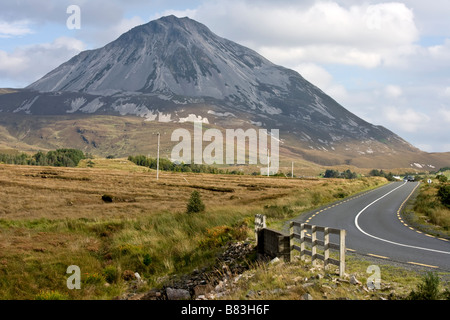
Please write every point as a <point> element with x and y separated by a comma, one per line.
<point>114,219</point>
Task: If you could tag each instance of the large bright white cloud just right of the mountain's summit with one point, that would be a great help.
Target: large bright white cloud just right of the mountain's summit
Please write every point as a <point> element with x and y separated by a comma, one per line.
<point>319,32</point>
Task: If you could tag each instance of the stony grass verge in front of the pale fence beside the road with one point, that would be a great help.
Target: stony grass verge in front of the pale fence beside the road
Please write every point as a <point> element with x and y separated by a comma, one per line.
<point>299,280</point>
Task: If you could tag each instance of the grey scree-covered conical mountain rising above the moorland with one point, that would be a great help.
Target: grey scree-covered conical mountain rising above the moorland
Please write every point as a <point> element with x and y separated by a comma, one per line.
<point>175,70</point>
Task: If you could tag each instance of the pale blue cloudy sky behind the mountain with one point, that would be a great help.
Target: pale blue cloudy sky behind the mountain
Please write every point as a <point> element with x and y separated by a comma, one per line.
<point>387,62</point>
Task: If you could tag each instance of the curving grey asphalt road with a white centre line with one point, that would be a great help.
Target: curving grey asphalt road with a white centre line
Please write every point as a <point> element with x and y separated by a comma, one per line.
<point>374,227</point>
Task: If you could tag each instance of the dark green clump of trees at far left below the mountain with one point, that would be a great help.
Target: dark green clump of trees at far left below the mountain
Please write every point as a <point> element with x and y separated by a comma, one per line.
<point>56,158</point>
